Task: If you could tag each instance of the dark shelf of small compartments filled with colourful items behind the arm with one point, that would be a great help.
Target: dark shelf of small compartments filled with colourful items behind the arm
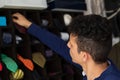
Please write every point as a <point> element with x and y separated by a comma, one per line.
<point>14,41</point>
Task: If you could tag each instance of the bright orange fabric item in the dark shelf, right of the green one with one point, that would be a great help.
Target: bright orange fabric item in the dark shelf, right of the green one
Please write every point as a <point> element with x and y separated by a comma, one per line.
<point>27,62</point>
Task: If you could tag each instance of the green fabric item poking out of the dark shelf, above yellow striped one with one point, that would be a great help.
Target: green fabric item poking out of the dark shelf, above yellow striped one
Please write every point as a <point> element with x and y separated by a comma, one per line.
<point>9,62</point>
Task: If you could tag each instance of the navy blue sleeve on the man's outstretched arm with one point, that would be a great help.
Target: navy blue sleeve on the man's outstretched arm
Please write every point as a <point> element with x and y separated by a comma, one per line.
<point>52,41</point>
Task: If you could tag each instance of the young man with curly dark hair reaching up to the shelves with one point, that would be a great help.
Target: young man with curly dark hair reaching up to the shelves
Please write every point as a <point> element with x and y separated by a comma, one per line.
<point>88,47</point>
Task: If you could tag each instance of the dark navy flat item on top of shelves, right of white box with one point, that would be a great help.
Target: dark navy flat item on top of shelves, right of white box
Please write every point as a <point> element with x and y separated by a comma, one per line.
<point>67,5</point>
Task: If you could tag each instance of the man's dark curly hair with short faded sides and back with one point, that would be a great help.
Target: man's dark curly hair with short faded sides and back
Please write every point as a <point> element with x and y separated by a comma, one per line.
<point>94,35</point>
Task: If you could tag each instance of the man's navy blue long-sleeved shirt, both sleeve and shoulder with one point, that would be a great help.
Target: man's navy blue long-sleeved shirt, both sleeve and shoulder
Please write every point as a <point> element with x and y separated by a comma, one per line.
<point>60,47</point>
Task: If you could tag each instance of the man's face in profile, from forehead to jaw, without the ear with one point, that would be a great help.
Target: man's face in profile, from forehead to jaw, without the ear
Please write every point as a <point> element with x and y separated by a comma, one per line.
<point>73,49</point>
